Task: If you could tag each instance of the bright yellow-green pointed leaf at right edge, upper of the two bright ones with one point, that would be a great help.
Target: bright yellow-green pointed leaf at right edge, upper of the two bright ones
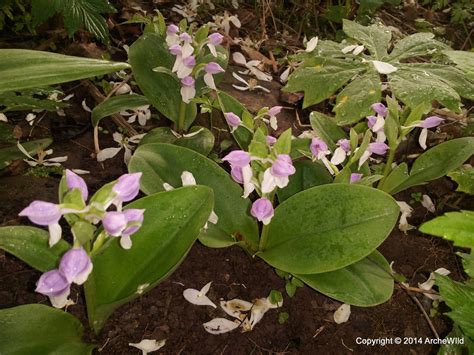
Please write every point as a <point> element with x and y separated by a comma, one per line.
<point>455,226</point>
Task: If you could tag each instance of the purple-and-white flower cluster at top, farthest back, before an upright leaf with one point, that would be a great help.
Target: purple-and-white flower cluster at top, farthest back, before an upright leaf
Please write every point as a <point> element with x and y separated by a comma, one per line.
<point>187,52</point>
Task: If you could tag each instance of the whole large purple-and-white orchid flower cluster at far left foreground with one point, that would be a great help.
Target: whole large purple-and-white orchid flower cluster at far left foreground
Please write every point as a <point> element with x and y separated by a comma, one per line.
<point>76,265</point>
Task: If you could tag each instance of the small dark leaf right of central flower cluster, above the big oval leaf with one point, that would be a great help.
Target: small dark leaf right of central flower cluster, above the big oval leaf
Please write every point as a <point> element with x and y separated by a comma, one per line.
<point>308,174</point>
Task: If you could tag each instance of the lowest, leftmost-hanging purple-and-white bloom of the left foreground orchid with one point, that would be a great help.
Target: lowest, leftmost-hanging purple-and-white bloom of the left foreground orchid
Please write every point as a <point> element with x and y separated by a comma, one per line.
<point>54,285</point>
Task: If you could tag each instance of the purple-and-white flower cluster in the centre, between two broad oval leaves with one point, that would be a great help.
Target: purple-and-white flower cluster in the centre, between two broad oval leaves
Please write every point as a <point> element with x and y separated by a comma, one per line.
<point>277,168</point>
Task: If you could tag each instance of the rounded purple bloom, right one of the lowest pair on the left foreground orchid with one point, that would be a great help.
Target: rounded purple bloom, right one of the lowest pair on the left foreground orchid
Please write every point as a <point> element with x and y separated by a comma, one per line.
<point>76,266</point>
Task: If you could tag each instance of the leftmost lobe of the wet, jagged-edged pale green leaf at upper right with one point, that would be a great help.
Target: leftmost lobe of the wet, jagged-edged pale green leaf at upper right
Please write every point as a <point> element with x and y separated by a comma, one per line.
<point>320,78</point>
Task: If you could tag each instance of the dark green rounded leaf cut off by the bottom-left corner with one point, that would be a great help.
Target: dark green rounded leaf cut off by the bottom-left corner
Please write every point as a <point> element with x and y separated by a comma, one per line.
<point>39,329</point>
